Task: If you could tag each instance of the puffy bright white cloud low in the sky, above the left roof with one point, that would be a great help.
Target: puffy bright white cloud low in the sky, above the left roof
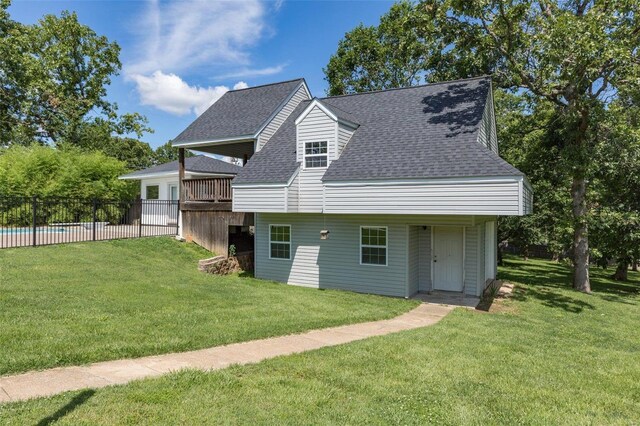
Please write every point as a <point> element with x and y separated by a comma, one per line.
<point>169,93</point>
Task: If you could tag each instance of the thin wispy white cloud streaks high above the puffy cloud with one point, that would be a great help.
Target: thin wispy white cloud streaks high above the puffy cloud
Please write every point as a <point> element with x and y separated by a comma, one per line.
<point>183,35</point>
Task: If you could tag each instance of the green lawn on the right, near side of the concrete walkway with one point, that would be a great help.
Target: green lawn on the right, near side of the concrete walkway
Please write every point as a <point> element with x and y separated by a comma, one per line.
<point>549,355</point>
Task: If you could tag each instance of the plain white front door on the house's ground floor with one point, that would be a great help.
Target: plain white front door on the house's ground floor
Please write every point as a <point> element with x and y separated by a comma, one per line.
<point>447,258</point>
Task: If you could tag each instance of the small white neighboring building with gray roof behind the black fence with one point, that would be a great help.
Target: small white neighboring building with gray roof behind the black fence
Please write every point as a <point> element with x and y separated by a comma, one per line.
<point>161,183</point>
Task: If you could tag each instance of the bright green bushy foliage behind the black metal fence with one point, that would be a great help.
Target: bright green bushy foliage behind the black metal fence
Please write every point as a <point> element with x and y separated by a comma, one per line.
<point>49,172</point>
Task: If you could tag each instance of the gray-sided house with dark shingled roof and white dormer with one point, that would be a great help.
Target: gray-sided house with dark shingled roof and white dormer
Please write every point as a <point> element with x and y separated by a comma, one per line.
<point>391,192</point>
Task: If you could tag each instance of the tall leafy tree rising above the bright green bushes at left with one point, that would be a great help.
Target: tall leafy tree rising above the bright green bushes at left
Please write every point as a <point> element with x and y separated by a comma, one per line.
<point>54,79</point>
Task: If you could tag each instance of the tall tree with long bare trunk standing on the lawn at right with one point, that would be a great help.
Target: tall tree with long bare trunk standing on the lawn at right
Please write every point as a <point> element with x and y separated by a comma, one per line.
<point>577,55</point>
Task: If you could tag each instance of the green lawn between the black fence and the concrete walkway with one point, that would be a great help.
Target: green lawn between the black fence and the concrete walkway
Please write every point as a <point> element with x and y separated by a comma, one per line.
<point>79,303</point>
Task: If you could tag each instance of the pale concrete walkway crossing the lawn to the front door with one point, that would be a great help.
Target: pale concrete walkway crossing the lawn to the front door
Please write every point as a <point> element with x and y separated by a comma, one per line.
<point>50,382</point>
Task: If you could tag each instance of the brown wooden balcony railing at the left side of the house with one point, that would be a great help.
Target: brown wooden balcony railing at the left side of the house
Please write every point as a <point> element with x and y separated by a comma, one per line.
<point>208,193</point>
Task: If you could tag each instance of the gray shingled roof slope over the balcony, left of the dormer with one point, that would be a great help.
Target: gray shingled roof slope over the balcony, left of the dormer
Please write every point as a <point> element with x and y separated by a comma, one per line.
<point>238,112</point>
